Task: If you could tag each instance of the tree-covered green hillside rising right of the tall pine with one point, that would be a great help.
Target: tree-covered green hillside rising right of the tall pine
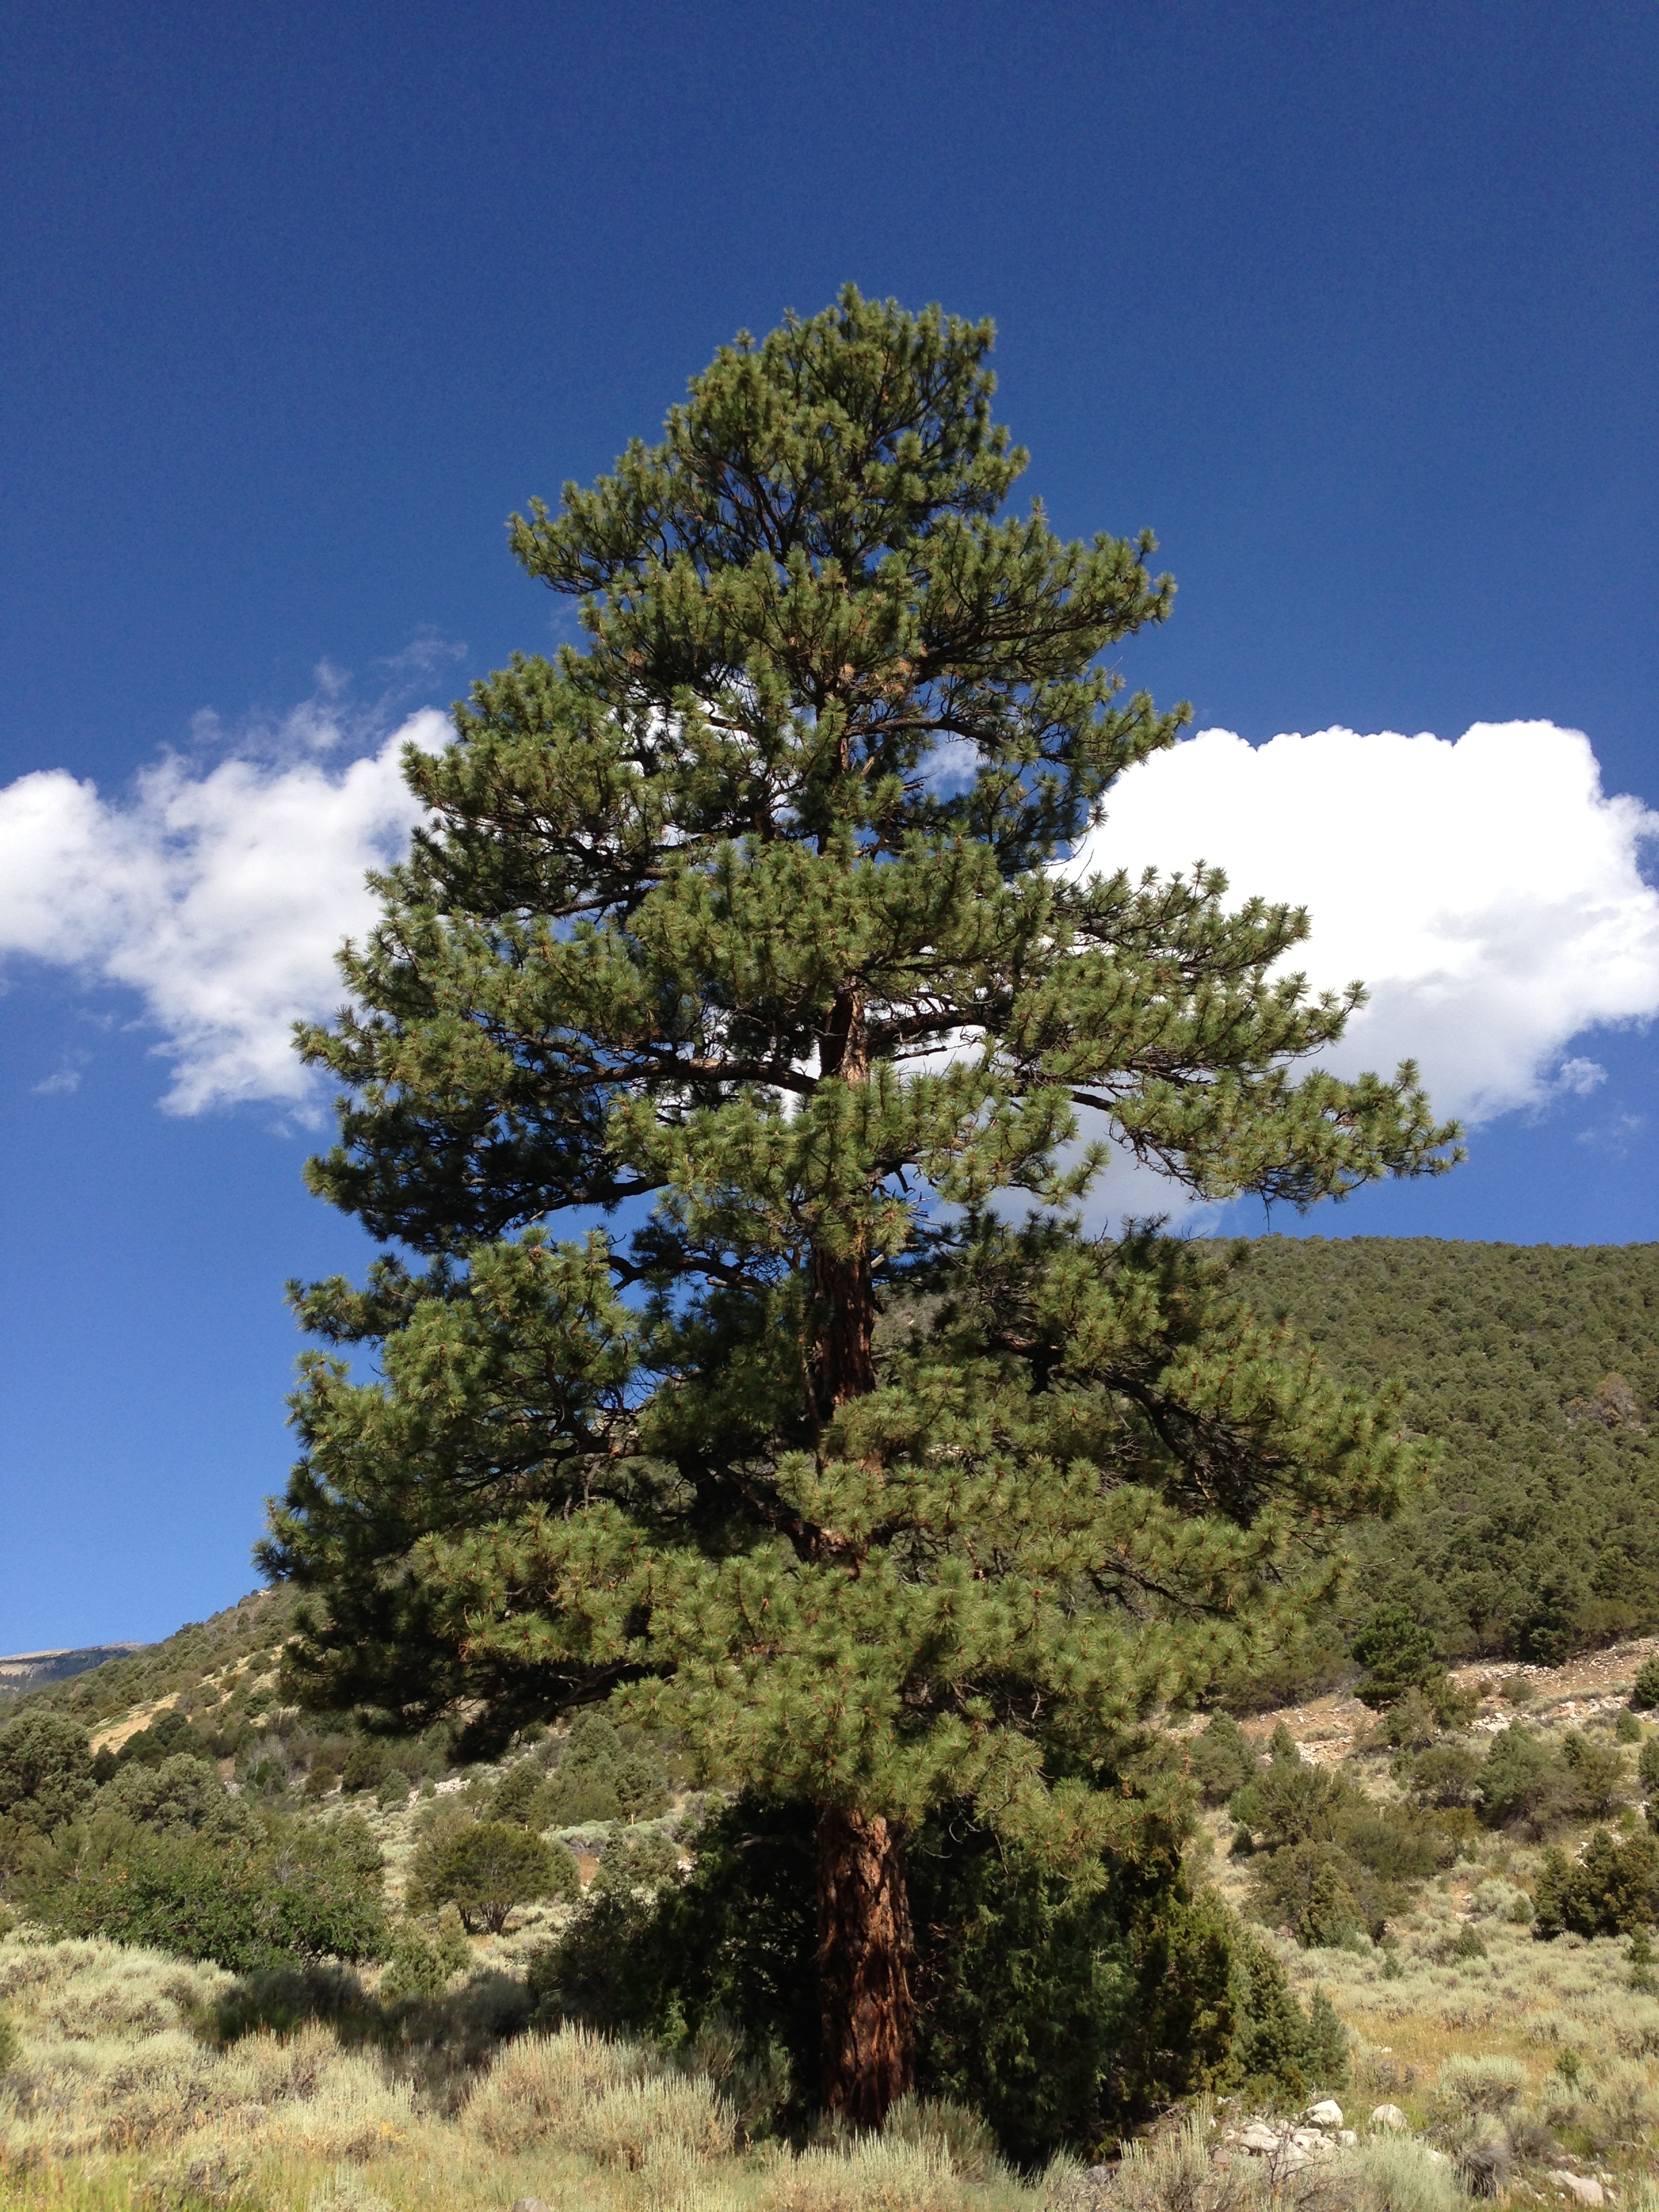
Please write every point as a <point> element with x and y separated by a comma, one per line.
<point>1536,1368</point>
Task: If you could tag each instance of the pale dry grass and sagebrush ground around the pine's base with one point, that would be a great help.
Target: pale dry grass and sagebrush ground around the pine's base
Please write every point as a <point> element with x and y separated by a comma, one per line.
<point>123,2103</point>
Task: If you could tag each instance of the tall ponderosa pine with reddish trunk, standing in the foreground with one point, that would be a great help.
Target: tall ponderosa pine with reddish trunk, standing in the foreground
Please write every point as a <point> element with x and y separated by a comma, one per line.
<point>742,928</point>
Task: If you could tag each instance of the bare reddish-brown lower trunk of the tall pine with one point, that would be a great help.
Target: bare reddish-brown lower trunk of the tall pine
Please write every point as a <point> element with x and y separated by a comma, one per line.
<point>864,1968</point>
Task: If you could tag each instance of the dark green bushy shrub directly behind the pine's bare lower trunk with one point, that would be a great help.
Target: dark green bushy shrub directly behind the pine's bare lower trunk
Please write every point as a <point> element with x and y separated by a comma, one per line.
<point>1058,2012</point>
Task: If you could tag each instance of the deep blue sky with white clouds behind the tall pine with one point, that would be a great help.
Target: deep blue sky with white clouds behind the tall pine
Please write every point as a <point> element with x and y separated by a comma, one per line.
<point>1355,306</point>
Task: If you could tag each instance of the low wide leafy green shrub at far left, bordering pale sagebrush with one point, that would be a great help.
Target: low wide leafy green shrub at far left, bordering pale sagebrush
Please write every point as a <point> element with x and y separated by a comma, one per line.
<point>286,1890</point>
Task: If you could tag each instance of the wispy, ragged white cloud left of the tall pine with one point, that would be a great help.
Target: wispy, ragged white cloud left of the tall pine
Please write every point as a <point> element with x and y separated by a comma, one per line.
<point>218,895</point>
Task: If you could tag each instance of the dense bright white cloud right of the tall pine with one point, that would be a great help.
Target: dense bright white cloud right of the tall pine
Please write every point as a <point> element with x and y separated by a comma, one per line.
<point>1490,893</point>
